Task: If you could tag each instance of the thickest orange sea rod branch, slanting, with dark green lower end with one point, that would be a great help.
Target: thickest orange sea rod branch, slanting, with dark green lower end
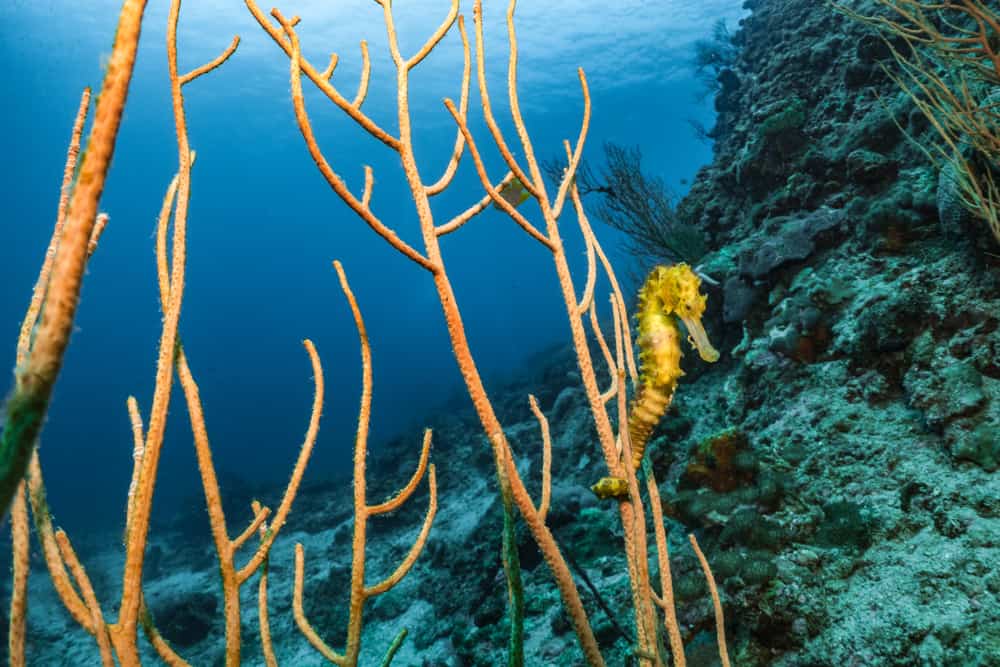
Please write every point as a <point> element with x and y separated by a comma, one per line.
<point>35,378</point>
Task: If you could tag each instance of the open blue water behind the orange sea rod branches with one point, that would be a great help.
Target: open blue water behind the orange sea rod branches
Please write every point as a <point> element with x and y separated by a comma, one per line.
<point>264,226</point>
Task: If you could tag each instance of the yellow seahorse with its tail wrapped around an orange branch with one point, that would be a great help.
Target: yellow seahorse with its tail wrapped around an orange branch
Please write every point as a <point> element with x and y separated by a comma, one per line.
<point>670,293</point>
